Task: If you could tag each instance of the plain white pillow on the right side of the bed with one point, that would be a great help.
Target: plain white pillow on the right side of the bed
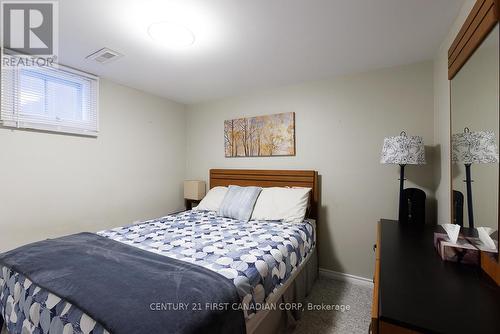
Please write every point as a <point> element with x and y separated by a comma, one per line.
<point>286,204</point>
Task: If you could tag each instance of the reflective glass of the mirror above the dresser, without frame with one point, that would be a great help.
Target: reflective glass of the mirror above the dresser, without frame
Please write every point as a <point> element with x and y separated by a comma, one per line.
<point>475,137</point>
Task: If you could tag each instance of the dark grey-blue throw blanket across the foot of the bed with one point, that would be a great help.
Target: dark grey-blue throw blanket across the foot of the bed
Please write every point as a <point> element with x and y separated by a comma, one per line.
<point>129,290</point>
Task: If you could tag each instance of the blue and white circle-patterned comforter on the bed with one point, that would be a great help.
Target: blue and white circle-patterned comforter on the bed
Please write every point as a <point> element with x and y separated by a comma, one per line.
<point>258,256</point>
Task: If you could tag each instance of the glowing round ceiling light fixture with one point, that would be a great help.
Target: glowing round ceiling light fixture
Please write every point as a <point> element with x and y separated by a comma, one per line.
<point>171,34</point>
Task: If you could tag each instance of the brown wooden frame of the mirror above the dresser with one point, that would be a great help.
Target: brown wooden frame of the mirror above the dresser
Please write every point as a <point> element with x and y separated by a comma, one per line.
<point>483,18</point>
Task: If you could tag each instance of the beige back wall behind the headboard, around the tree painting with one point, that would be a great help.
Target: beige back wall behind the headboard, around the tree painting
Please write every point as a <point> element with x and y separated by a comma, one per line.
<point>340,127</point>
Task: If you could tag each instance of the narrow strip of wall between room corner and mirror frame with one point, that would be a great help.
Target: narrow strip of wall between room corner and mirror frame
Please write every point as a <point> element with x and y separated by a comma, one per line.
<point>442,119</point>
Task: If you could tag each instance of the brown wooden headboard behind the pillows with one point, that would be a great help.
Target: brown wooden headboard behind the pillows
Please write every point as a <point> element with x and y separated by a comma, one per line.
<point>269,178</point>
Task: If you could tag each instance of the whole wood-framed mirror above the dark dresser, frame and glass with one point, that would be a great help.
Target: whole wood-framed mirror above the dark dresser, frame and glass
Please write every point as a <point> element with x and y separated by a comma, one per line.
<point>473,71</point>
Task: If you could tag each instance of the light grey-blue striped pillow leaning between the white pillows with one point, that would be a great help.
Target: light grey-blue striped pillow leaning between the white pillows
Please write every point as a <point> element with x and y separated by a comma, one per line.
<point>239,202</point>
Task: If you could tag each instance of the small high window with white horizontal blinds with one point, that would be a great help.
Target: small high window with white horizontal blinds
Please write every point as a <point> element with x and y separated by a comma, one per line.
<point>60,100</point>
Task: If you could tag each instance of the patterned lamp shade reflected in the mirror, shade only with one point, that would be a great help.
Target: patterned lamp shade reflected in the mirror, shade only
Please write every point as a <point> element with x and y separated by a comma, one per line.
<point>476,147</point>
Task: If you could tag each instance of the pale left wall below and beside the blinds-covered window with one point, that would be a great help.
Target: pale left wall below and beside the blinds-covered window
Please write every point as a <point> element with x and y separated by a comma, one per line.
<point>53,184</point>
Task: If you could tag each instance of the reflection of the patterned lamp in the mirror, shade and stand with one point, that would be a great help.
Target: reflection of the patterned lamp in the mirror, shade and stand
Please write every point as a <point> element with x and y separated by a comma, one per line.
<point>473,147</point>
